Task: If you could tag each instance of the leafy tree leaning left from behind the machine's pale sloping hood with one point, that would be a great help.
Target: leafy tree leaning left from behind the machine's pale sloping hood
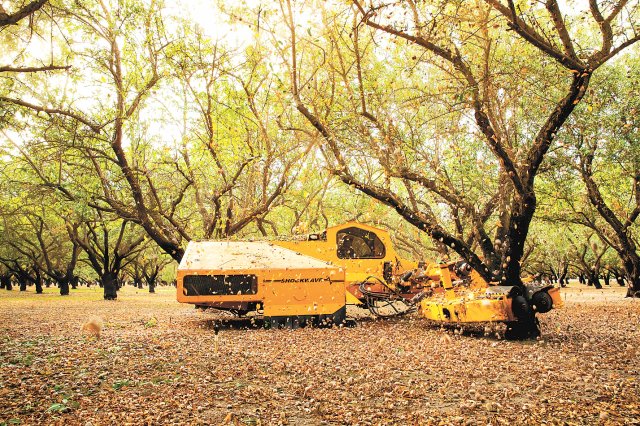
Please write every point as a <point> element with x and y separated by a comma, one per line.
<point>230,164</point>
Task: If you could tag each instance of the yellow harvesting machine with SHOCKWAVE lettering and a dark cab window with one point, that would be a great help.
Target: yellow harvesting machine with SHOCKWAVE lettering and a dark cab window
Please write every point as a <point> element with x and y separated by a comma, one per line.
<point>312,279</point>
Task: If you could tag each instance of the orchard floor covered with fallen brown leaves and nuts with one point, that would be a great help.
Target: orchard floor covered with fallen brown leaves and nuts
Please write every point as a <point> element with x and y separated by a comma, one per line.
<point>156,364</point>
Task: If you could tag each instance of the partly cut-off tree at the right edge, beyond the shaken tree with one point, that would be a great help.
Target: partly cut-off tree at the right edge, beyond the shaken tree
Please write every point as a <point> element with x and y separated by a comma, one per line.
<point>607,161</point>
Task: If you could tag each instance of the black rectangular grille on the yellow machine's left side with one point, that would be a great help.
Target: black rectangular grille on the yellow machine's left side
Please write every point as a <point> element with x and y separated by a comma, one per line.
<point>217,285</point>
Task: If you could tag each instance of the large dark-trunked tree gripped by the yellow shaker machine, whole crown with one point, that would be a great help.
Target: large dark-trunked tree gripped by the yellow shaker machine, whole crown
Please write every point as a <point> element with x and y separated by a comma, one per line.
<point>465,102</point>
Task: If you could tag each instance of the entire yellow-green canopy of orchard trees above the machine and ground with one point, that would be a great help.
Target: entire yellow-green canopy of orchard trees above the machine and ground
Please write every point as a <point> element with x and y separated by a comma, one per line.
<point>500,131</point>
